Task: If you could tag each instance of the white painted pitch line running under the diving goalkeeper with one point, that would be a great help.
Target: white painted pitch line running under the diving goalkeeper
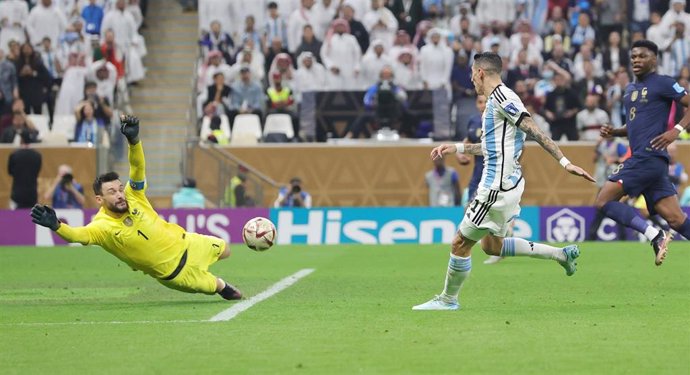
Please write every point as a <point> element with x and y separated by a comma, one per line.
<point>223,316</point>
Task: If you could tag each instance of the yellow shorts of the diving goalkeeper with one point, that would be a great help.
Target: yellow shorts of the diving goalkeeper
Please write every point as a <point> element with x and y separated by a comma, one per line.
<point>194,277</point>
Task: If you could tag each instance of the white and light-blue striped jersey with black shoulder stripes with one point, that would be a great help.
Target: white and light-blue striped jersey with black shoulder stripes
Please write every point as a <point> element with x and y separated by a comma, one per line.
<point>502,139</point>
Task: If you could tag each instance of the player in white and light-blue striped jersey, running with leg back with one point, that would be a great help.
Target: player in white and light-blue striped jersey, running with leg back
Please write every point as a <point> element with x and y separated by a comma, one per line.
<point>505,125</point>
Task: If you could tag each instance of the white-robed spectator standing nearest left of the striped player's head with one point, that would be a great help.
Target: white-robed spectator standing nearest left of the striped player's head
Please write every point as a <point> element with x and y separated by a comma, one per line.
<point>435,62</point>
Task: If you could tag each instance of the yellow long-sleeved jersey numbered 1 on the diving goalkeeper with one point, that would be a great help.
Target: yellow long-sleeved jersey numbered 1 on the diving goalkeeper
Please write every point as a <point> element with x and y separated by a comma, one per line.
<point>139,238</point>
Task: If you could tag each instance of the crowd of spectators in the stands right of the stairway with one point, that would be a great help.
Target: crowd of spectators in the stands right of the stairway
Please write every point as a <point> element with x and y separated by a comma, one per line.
<point>567,59</point>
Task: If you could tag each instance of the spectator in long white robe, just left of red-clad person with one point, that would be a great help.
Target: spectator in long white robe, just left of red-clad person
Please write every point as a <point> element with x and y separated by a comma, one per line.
<point>72,88</point>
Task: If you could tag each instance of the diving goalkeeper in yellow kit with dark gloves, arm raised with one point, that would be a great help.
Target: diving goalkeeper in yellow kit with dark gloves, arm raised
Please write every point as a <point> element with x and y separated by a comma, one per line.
<point>128,227</point>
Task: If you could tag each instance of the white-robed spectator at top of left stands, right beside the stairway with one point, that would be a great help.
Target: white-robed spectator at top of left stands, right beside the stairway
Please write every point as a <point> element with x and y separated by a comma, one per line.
<point>124,27</point>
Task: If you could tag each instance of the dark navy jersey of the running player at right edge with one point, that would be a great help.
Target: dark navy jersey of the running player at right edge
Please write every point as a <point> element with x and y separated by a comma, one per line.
<point>648,105</point>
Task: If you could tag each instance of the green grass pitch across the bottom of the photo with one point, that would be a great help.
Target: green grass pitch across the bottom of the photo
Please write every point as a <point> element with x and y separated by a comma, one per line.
<point>619,314</point>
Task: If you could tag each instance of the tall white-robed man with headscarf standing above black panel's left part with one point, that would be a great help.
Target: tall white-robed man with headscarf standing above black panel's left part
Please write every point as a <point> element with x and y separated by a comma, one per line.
<point>341,55</point>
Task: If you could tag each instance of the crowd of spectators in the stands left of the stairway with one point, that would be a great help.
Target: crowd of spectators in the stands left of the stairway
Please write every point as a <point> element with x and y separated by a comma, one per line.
<point>64,64</point>
